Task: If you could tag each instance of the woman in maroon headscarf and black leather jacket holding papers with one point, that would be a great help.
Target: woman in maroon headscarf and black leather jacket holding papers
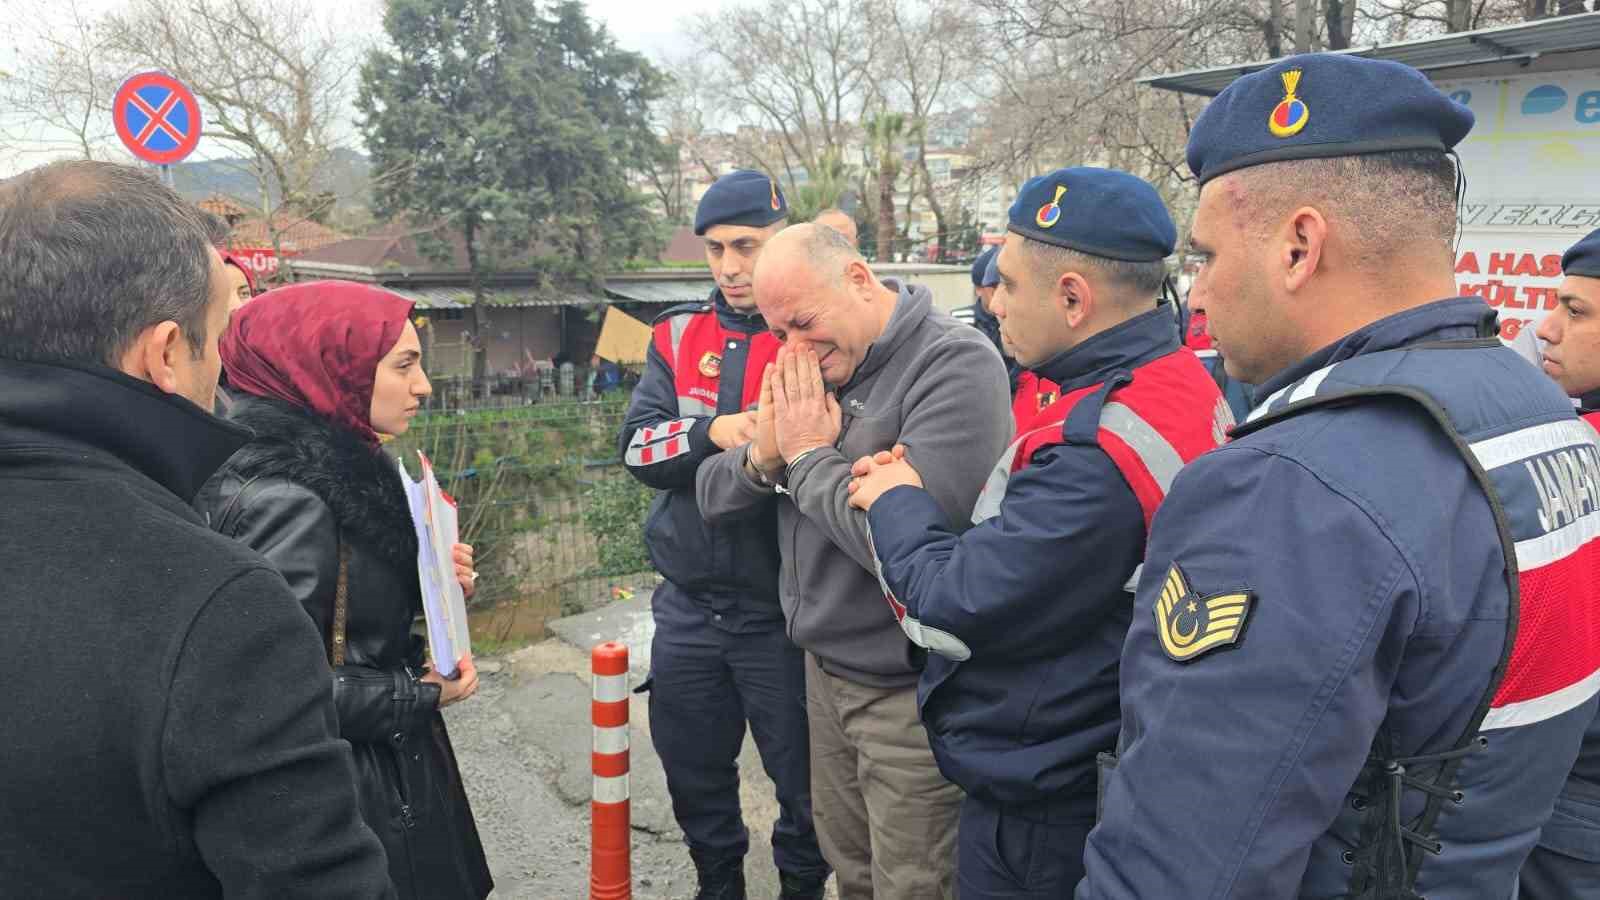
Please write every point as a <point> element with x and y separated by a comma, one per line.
<point>319,371</point>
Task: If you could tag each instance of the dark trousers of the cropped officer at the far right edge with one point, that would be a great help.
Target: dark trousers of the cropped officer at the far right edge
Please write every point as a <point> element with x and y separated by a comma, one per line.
<point>1567,862</point>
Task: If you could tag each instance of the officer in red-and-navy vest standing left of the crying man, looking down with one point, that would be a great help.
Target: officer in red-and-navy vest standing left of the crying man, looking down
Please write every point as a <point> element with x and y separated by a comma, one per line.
<point>721,657</point>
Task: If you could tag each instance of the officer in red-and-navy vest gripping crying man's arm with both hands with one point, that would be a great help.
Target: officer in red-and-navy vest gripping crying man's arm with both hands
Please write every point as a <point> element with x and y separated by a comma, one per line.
<point>1025,614</point>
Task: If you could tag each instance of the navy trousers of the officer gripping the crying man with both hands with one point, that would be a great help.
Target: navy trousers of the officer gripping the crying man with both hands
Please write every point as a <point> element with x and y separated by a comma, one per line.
<point>1009,858</point>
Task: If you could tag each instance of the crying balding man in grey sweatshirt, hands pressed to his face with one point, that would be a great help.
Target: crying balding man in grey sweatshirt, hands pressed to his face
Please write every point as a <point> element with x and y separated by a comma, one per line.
<point>866,364</point>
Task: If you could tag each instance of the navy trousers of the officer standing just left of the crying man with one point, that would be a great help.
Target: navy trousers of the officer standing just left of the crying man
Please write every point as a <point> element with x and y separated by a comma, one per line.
<point>706,685</point>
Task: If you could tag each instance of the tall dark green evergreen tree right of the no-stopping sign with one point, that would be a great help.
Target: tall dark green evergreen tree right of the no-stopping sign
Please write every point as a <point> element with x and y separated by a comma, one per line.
<point>516,129</point>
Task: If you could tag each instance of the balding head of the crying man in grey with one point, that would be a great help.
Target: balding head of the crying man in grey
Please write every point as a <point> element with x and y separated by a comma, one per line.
<point>818,295</point>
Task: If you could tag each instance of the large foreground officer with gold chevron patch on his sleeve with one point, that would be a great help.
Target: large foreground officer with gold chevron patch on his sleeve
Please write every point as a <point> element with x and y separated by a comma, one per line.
<point>1364,646</point>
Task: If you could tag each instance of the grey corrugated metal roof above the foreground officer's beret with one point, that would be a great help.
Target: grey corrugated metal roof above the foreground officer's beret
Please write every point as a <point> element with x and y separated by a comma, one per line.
<point>1506,44</point>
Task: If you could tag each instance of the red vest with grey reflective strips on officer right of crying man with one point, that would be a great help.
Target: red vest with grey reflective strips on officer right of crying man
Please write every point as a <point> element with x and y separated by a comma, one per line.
<point>1151,422</point>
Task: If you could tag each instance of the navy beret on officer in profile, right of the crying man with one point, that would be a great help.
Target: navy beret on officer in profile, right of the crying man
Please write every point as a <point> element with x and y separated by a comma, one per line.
<point>1100,212</point>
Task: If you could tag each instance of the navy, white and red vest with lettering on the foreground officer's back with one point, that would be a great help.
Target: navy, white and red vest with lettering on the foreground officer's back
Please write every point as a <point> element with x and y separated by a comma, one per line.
<point>1540,470</point>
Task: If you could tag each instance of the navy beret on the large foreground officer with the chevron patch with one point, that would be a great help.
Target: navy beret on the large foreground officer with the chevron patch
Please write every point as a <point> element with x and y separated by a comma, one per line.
<point>1319,106</point>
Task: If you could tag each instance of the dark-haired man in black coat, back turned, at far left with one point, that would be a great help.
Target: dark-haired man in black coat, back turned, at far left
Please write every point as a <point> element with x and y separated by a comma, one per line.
<point>170,728</point>
